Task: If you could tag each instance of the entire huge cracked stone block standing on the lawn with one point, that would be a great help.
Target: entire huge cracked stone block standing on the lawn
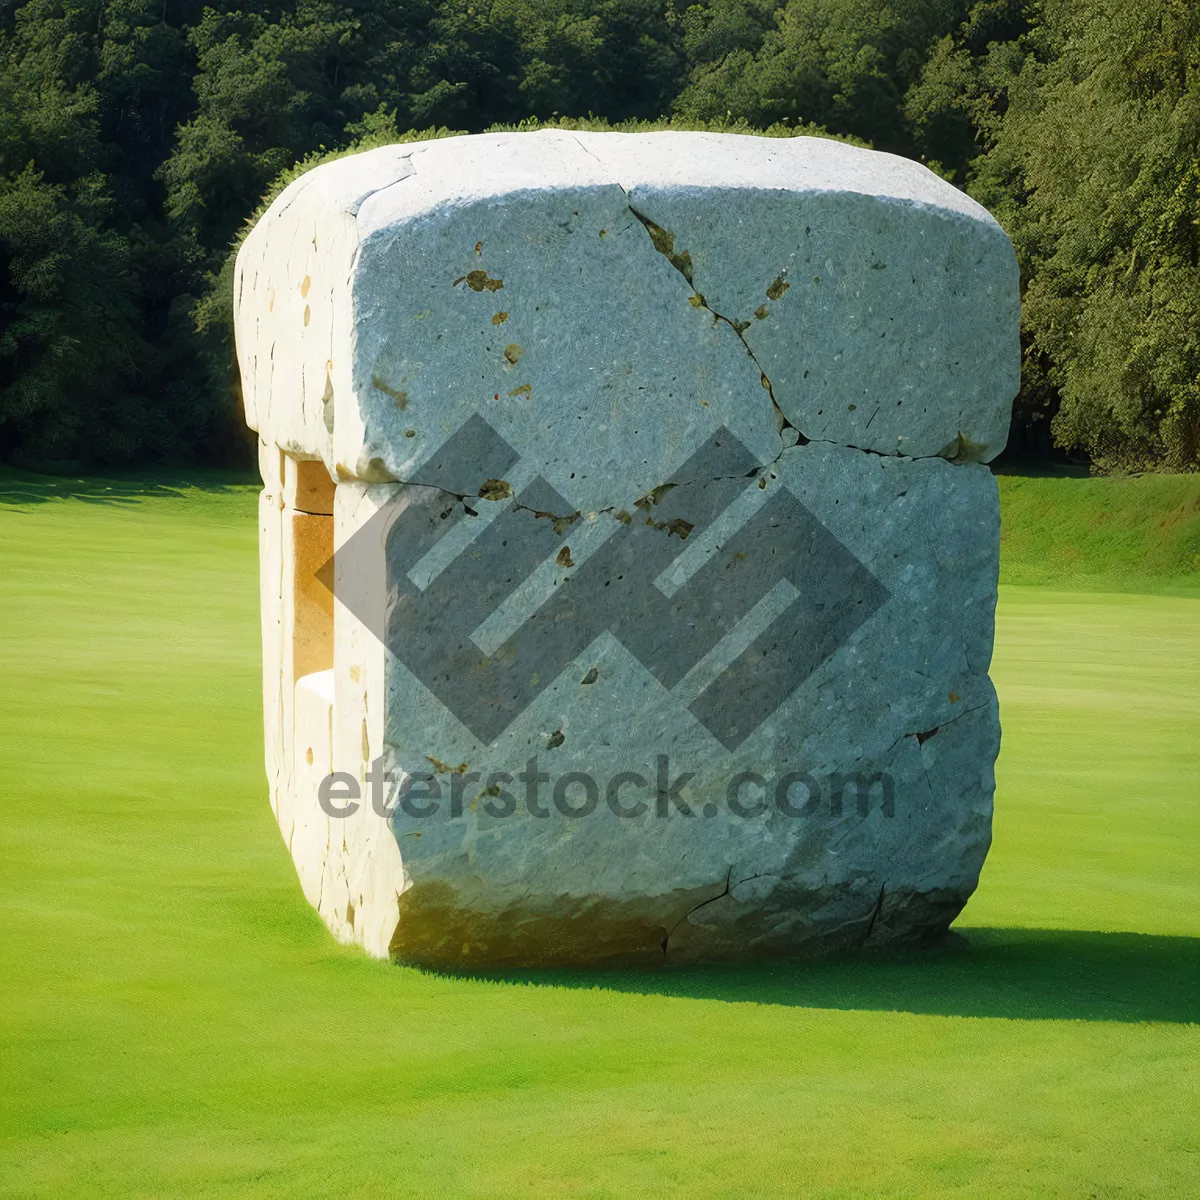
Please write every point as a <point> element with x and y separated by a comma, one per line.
<point>665,563</point>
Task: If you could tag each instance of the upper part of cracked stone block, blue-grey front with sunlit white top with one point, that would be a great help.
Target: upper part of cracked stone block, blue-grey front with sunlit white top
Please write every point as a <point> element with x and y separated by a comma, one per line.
<point>875,304</point>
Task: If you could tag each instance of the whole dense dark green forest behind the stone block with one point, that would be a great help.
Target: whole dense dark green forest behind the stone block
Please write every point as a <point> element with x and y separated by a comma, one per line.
<point>139,136</point>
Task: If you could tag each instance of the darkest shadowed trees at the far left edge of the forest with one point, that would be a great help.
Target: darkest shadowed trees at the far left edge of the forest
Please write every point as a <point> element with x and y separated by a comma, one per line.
<point>98,356</point>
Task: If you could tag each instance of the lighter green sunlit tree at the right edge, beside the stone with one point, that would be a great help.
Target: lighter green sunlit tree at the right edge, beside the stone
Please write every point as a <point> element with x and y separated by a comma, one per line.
<point>1095,171</point>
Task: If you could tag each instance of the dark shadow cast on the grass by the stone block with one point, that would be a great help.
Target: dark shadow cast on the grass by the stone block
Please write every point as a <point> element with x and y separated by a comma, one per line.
<point>1018,974</point>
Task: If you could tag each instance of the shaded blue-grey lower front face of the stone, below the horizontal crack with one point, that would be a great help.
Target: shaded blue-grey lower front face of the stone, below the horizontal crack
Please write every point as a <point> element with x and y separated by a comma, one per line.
<point>907,697</point>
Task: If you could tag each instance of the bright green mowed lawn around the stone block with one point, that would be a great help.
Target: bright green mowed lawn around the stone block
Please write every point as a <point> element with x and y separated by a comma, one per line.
<point>177,1022</point>
